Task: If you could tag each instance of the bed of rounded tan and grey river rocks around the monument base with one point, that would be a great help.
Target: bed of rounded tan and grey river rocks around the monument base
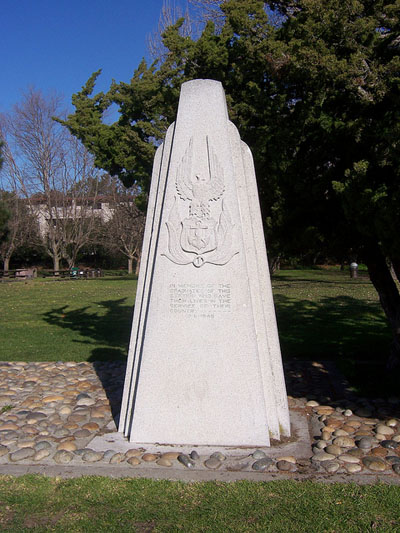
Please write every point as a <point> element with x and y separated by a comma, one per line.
<point>51,412</point>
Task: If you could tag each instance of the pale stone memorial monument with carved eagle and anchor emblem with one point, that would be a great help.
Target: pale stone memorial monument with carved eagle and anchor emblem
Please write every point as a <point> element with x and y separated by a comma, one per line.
<point>204,364</point>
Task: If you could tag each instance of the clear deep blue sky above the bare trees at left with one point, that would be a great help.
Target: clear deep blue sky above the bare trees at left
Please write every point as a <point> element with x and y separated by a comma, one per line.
<point>58,44</point>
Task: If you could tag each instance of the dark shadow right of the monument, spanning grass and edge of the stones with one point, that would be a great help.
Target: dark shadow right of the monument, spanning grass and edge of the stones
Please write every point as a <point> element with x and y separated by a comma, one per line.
<point>350,333</point>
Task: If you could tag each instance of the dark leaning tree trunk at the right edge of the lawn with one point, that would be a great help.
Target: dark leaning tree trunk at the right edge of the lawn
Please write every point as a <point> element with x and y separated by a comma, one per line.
<point>389,297</point>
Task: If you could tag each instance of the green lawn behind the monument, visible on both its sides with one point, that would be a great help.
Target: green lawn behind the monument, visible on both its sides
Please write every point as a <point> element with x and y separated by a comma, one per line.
<point>322,314</point>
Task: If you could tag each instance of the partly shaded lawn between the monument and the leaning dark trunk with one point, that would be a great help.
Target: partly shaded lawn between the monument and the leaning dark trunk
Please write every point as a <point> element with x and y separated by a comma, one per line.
<point>323,314</point>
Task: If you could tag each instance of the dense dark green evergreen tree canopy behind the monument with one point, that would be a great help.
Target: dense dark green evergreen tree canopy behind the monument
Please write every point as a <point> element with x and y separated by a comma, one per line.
<point>313,87</point>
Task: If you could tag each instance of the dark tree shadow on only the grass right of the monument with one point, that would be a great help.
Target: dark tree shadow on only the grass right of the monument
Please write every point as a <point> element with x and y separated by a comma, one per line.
<point>339,327</point>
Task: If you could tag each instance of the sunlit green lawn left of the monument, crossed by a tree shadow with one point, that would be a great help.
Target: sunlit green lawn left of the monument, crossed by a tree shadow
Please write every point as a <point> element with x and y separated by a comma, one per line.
<point>71,320</point>
